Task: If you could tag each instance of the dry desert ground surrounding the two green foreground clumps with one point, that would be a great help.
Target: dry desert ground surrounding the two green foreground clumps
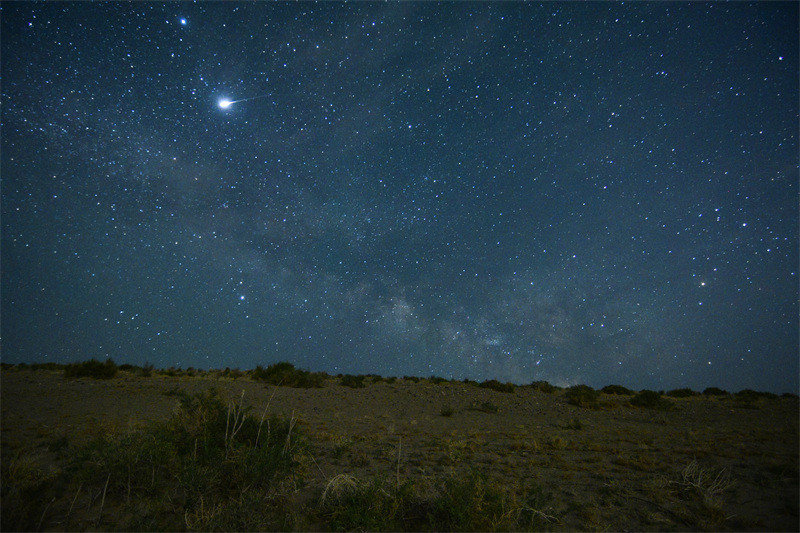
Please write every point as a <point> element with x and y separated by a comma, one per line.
<point>709,462</point>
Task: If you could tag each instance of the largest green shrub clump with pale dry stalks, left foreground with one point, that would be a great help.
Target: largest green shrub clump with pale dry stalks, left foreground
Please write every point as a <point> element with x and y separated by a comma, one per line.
<point>213,465</point>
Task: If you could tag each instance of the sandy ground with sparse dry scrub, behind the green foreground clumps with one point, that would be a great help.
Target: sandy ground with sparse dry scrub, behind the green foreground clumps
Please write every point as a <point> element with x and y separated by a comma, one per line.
<point>615,471</point>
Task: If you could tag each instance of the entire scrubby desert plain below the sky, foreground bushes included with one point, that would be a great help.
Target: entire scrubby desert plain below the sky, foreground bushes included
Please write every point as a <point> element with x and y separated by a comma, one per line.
<point>216,464</point>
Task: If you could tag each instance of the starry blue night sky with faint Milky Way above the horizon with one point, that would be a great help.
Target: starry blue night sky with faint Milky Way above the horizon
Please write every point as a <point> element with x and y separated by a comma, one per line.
<point>578,193</point>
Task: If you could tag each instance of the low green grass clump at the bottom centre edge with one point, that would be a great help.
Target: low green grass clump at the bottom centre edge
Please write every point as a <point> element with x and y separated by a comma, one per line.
<point>471,503</point>
